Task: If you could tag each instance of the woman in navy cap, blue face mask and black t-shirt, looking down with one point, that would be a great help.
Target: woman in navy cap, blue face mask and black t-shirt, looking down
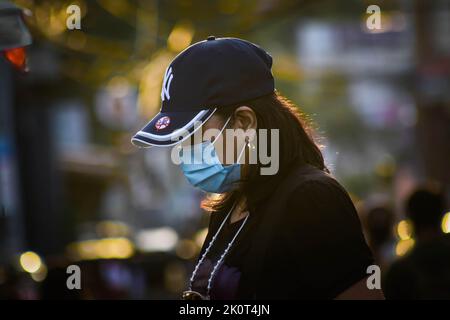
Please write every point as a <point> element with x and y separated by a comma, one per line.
<point>290,234</point>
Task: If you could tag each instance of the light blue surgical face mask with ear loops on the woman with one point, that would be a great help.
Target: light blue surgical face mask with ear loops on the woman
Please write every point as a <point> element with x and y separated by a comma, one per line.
<point>206,172</point>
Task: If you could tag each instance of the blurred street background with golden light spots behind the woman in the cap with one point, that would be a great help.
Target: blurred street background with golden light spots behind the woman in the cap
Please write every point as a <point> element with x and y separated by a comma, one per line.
<point>73,190</point>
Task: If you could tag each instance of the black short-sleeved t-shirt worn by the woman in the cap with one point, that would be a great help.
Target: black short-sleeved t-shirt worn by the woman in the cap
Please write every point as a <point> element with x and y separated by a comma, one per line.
<point>316,249</point>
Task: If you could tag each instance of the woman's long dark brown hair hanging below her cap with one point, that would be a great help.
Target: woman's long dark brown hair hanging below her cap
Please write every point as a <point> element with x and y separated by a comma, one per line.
<point>296,146</point>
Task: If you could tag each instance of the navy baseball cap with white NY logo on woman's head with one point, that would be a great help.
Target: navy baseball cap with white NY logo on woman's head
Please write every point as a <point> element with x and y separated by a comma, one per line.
<point>206,76</point>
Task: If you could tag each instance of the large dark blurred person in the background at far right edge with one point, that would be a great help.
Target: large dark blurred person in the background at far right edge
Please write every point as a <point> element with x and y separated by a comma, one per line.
<point>424,273</point>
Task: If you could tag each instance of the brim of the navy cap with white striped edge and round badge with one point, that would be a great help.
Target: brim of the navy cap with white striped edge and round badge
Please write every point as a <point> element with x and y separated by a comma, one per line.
<point>170,128</point>
